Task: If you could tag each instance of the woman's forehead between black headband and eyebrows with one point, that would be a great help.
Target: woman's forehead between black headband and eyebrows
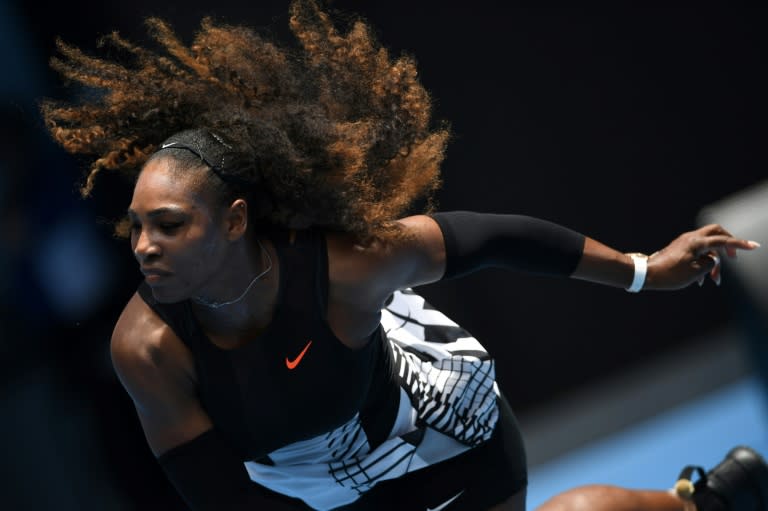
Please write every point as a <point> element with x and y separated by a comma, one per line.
<point>160,185</point>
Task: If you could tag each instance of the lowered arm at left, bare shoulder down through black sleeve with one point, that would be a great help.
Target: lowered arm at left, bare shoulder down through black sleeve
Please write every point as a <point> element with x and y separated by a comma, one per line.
<point>158,372</point>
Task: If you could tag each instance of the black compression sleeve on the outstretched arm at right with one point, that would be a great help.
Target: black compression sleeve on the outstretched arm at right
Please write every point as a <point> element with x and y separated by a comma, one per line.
<point>480,240</point>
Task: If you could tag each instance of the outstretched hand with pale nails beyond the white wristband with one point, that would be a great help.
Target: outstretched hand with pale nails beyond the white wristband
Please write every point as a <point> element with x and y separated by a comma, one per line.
<point>692,256</point>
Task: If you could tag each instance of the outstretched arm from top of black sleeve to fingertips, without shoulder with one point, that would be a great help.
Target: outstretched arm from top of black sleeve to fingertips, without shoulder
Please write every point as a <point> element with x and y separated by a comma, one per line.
<point>476,240</point>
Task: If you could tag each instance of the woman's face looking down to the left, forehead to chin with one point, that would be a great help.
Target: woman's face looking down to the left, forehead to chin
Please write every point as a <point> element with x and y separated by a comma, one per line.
<point>177,234</point>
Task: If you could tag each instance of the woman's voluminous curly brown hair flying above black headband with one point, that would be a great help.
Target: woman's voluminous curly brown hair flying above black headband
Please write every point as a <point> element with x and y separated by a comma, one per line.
<point>340,131</point>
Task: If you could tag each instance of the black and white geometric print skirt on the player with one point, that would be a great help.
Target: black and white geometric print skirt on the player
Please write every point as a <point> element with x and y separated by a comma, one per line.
<point>448,404</point>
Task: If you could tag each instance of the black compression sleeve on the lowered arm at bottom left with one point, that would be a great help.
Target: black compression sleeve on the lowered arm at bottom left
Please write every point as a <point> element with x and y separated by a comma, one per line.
<point>209,476</point>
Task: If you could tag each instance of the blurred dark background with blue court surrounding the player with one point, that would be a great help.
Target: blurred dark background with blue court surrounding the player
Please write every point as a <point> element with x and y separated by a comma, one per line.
<point>624,123</point>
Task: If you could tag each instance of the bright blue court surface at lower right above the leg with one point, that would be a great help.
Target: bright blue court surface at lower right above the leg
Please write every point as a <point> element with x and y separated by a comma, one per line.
<point>651,453</point>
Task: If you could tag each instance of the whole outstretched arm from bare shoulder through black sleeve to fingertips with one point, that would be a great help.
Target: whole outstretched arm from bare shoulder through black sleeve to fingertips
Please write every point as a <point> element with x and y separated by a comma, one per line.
<point>452,244</point>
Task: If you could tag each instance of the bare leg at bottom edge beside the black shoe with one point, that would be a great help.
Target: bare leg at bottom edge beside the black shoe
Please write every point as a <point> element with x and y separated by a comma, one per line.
<point>614,498</point>
